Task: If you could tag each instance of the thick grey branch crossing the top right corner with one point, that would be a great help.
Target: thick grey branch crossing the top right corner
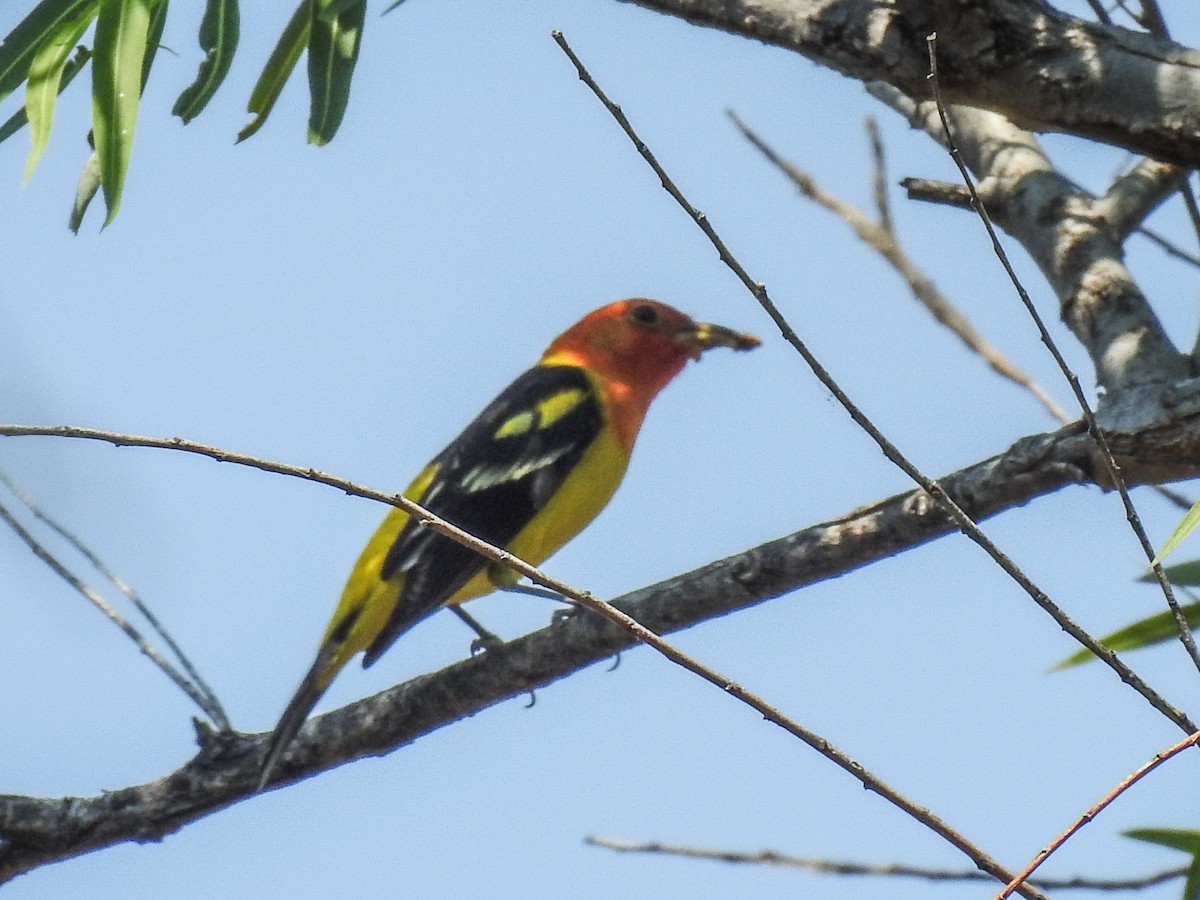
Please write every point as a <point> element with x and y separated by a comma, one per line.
<point>1021,58</point>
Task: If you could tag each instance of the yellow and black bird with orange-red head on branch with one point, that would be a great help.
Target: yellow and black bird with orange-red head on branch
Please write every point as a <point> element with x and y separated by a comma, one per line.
<point>527,475</point>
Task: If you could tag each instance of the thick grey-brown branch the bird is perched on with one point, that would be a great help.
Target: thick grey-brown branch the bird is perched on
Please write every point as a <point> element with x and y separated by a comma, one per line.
<point>1156,439</point>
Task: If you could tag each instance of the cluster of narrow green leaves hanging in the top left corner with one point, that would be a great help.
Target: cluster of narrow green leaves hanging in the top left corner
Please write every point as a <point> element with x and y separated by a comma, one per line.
<point>124,39</point>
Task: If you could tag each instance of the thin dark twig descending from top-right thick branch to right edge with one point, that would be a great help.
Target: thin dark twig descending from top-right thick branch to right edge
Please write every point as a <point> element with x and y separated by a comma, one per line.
<point>1094,429</point>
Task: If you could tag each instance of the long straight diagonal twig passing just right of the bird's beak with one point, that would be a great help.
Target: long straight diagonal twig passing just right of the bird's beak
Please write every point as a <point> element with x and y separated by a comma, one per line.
<point>962,520</point>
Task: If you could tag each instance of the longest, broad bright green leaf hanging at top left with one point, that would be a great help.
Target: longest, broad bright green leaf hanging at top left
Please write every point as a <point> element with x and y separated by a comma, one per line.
<point>123,35</point>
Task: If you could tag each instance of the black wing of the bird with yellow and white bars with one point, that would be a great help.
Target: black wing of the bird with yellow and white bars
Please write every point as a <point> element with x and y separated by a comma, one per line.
<point>491,482</point>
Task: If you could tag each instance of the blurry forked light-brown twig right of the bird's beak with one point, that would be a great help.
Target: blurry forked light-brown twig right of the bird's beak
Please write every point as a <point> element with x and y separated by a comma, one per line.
<point>883,239</point>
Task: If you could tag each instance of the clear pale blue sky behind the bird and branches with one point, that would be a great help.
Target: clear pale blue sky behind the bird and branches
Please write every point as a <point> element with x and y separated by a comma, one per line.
<point>352,308</point>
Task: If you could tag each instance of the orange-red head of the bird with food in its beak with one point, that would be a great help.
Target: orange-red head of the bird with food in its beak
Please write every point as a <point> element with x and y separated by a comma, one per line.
<point>635,347</point>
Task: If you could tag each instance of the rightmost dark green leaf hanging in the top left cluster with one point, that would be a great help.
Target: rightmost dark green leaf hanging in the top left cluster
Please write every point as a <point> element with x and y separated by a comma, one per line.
<point>333,52</point>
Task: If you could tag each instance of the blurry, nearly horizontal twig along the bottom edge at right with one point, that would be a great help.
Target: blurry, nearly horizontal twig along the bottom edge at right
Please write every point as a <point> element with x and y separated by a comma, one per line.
<point>839,867</point>
